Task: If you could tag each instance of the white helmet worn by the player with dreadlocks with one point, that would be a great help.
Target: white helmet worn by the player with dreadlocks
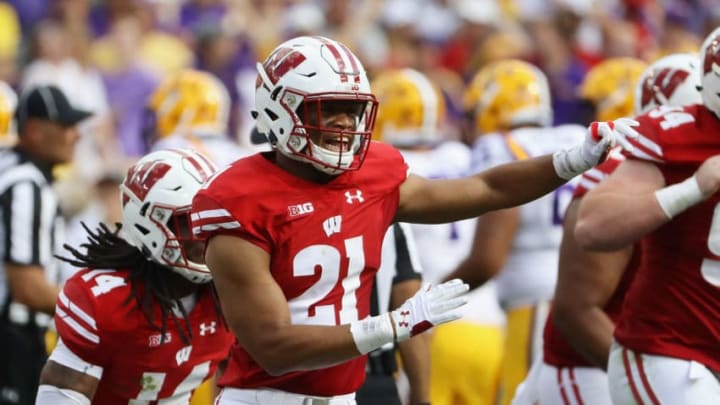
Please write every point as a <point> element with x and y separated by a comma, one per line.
<point>156,198</point>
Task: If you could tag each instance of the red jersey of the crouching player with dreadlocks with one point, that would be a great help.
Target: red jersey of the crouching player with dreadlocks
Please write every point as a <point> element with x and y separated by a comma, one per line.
<point>97,323</point>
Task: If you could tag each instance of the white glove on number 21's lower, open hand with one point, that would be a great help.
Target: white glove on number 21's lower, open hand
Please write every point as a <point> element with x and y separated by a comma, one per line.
<point>431,305</point>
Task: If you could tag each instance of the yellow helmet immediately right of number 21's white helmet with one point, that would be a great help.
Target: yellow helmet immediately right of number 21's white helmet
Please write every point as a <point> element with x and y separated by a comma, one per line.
<point>411,109</point>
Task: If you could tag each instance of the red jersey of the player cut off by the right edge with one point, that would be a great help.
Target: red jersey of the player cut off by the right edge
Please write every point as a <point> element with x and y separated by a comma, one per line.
<point>673,306</point>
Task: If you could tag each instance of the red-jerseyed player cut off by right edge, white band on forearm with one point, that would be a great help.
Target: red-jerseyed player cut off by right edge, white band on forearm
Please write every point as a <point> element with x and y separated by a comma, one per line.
<point>665,347</point>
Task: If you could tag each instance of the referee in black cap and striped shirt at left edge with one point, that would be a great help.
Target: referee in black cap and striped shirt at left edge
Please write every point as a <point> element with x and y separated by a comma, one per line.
<point>31,232</point>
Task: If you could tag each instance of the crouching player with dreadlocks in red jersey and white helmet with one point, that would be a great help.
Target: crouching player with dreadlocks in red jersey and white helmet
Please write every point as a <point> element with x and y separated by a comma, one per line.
<point>141,323</point>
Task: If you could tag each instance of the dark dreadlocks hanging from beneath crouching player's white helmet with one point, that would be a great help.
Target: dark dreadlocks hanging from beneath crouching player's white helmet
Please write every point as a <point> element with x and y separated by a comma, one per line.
<point>107,250</point>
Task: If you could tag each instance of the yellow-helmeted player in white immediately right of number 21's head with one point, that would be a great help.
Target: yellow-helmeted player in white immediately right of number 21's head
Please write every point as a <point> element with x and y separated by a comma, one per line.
<point>465,354</point>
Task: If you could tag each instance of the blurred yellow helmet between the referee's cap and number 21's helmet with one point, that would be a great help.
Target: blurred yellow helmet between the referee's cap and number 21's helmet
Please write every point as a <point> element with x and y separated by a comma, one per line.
<point>190,101</point>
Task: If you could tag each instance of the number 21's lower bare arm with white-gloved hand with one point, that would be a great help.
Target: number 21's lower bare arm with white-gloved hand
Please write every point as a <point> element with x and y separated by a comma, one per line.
<point>257,311</point>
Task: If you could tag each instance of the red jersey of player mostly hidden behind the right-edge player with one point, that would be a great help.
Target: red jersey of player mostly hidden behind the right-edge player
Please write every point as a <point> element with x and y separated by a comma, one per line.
<point>557,351</point>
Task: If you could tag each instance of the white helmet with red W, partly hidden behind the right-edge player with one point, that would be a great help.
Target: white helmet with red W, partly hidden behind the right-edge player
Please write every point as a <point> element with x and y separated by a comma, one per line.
<point>672,80</point>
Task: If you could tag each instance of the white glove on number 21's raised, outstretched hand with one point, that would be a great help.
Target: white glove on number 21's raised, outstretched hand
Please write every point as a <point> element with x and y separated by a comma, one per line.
<point>601,137</point>
